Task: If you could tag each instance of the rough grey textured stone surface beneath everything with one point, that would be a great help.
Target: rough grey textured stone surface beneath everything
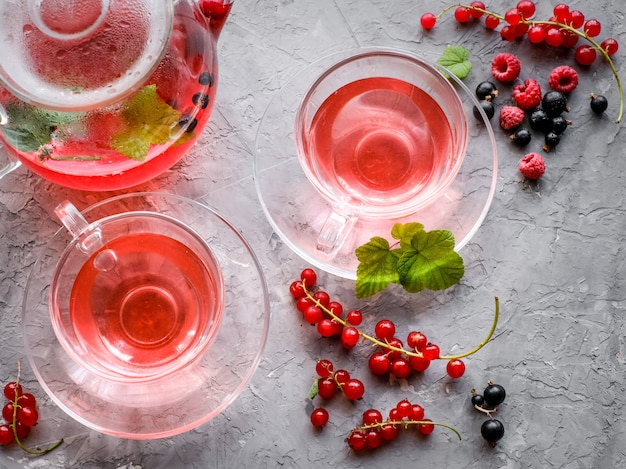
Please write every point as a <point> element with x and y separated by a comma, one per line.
<point>553,252</point>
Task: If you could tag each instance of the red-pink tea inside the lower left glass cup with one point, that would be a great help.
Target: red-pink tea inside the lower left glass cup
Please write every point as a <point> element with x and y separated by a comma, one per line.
<point>158,303</point>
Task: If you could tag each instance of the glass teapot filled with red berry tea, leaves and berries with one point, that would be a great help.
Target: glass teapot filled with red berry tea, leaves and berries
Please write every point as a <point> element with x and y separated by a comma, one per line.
<point>105,94</point>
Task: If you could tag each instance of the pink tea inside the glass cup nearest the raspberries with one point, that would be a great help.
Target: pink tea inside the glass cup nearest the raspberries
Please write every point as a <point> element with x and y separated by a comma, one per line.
<point>380,141</point>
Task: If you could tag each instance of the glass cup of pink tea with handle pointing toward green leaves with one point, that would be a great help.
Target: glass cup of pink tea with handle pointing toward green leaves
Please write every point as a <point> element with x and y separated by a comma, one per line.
<point>380,135</point>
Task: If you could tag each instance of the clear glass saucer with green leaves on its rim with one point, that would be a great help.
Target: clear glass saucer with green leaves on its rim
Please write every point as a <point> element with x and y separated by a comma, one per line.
<point>297,211</point>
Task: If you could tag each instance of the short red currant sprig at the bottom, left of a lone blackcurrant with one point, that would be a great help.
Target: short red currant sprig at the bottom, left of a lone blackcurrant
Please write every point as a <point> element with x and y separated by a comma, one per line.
<point>375,430</point>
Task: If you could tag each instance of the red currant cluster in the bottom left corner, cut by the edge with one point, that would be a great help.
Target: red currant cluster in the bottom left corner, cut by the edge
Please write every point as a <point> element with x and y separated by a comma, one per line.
<point>20,414</point>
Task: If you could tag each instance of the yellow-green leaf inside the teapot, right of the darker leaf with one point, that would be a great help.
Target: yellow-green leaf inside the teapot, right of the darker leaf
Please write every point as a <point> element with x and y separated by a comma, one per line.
<point>150,120</point>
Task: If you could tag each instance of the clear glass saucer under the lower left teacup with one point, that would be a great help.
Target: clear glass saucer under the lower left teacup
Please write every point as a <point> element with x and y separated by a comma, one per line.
<point>189,395</point>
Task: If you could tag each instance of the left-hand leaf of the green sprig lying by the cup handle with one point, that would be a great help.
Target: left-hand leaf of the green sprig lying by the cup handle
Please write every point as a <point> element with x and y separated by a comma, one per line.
<point>377,267</point>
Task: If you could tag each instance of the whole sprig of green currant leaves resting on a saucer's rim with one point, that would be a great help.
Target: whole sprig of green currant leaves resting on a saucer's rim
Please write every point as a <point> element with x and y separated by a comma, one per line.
<point>419,260</point>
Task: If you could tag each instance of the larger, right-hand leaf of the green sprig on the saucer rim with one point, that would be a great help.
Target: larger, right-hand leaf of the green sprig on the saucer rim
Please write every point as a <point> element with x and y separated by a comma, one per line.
<point>431,263</point>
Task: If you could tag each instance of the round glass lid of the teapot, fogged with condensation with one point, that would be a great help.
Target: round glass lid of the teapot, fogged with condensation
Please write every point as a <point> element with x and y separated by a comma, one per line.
<point>74,55</point>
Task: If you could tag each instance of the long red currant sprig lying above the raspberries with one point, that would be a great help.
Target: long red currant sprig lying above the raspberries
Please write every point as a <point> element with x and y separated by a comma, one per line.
<point>565,28</point>
